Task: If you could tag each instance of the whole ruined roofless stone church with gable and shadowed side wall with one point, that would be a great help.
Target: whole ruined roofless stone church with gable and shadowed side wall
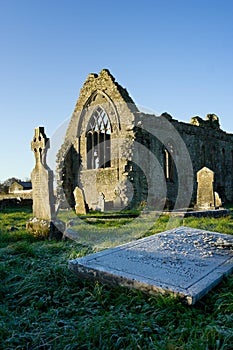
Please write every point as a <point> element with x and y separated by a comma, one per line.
<point>120,157</point>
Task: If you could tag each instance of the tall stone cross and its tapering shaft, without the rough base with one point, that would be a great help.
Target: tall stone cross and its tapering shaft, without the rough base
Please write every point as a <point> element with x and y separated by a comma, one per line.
<point>42,178</point>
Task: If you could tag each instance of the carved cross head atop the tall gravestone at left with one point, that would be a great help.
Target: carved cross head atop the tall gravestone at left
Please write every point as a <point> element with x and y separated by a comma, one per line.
<point>40,145</point>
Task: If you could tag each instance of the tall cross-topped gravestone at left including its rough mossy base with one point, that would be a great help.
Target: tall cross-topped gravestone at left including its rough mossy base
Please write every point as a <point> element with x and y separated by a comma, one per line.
<point>44,223</point>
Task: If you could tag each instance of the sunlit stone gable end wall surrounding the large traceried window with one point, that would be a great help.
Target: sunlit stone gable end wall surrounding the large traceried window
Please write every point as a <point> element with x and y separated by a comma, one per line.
<point>72,168</point>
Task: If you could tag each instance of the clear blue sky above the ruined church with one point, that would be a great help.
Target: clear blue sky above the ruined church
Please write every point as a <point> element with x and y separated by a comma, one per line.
<point>171,55</point>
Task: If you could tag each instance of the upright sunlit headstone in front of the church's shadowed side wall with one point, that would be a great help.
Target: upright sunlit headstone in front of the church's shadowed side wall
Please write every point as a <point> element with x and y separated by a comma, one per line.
<point>205,191</point>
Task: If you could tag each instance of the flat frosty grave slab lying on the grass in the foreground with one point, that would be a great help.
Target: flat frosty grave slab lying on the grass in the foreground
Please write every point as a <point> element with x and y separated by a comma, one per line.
<point>185,262</point>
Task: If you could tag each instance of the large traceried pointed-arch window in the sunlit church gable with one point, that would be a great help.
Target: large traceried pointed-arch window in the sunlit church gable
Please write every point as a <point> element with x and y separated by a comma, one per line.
<point>98,140</point>
